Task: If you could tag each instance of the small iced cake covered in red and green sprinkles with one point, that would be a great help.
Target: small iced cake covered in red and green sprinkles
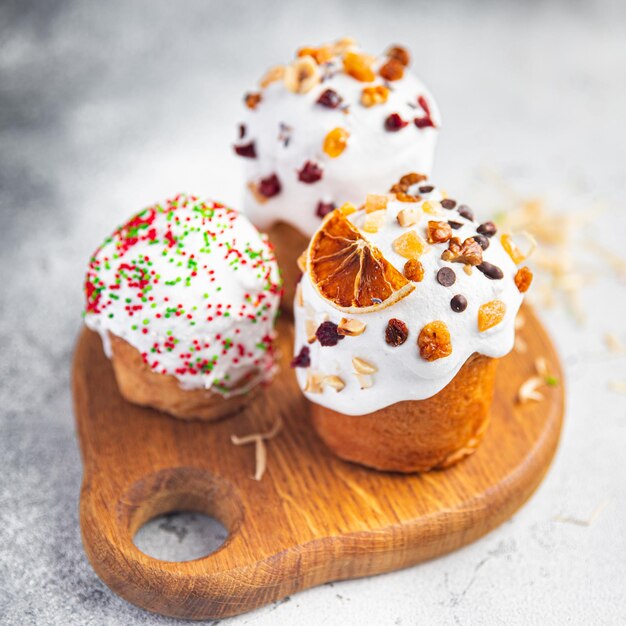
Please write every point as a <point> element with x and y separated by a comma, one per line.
<point>184,296</point>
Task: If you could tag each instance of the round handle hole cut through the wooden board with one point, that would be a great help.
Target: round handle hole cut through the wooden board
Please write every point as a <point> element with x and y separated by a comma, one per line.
<point>180,514</point>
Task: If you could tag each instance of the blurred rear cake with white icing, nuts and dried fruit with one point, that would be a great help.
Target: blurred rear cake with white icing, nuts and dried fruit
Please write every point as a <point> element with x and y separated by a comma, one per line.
<point>322,128</point>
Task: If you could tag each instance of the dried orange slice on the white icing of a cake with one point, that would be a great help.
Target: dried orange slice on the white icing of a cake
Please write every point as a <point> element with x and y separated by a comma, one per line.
<point>350,272</point>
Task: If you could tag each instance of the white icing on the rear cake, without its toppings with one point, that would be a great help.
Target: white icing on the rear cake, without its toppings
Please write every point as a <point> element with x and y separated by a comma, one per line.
<point>372,159</point>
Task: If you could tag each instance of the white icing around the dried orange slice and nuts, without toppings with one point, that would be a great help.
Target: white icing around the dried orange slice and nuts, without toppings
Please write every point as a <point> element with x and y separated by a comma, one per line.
<point>402,373</point>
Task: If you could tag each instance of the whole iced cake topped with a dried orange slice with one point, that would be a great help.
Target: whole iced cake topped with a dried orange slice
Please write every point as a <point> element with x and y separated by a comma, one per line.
<point>403,310</point>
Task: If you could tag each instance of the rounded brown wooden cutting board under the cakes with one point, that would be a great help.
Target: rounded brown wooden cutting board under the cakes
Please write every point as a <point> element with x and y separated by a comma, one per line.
<point>312,518</point>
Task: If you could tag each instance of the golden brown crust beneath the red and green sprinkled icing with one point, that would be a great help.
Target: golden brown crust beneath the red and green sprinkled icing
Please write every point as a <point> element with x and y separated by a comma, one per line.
<point>140,385</point>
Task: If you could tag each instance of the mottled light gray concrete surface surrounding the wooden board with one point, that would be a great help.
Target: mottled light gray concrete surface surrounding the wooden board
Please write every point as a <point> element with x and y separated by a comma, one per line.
<point>107,106</point>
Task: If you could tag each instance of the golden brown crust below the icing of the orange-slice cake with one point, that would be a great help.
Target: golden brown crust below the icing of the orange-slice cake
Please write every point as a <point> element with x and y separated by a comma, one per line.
<point>416,435</point>
